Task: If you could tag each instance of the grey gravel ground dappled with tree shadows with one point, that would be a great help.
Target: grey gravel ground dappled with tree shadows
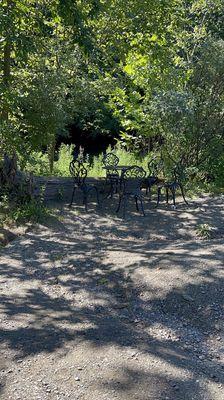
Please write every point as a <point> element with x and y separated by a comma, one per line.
<point>94,307</point>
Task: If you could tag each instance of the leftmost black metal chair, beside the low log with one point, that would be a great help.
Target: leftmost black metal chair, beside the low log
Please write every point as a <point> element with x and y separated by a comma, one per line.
<point>79,172</point>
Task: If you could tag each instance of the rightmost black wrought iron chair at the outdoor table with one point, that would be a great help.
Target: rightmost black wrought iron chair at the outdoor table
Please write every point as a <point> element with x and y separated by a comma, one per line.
<point>176,182</point>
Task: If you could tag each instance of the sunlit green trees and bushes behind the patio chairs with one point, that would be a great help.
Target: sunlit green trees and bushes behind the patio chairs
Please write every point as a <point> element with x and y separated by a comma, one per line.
<point>151,73</point>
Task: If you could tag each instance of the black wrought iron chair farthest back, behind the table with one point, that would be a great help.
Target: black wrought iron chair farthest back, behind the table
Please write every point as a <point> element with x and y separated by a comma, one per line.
<point>110,161</point>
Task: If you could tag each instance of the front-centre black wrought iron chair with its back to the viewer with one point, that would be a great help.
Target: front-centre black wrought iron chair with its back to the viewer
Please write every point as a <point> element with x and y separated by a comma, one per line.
<point>131,187</point>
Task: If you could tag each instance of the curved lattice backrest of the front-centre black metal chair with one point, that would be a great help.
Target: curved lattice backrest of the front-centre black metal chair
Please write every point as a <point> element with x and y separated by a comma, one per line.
<point>132,179</point>
